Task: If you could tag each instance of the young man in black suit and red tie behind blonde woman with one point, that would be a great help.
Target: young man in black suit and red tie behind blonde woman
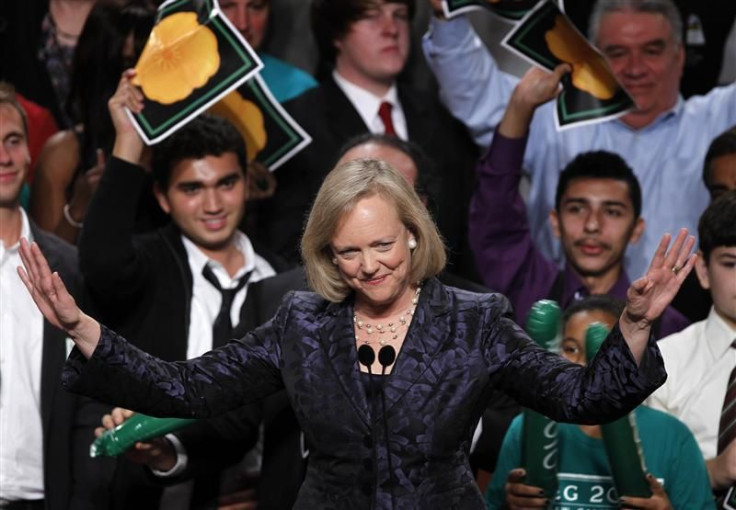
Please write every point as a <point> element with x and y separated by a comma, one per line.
<point>364,46</point>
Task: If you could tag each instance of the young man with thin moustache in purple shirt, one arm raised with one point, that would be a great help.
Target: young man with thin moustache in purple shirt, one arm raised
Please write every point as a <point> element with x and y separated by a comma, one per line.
<point>596,216</point>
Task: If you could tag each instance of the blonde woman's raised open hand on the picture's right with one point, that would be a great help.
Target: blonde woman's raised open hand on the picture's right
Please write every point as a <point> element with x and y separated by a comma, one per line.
<point>648,296</point>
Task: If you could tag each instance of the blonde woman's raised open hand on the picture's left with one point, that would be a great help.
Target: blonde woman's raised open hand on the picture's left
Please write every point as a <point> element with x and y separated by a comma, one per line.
<point>54,301</point>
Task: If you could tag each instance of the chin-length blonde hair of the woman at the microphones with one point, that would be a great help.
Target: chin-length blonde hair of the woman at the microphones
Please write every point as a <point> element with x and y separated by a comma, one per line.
<point>343,187</point>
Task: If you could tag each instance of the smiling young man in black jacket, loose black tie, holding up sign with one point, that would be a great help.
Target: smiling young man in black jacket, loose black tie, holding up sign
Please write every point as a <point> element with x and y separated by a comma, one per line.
<point>186,282</point>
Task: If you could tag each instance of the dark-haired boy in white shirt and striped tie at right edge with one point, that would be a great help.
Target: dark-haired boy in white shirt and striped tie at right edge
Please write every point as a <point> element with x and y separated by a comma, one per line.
<point>701,359</point>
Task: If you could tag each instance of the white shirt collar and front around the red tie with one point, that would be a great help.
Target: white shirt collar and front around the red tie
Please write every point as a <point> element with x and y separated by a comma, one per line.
<point>367,106</point>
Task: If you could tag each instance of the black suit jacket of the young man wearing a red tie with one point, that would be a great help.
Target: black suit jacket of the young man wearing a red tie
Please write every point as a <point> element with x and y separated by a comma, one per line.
<point>329,117</point>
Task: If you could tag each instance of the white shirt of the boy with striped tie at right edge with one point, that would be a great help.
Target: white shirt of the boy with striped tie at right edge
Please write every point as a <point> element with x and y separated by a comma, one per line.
<point>699,361</point>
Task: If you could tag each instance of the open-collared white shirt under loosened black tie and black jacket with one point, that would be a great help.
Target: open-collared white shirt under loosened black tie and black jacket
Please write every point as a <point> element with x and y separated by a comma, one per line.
<point>206,299</point>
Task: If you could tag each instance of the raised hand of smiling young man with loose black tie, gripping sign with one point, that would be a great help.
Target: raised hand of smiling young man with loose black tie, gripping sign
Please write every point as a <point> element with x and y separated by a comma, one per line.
<point>128,143</point>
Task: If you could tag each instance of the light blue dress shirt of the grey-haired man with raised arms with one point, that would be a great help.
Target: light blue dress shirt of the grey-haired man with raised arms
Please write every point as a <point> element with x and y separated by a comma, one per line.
<point>666,156</point>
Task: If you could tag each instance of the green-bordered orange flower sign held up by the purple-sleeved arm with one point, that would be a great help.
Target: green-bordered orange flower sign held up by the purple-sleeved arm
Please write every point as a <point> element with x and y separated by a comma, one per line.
<point>591,93</point>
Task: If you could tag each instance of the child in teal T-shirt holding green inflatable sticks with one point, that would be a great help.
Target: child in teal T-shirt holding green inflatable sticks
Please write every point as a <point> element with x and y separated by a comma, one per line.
<point>678,478</point>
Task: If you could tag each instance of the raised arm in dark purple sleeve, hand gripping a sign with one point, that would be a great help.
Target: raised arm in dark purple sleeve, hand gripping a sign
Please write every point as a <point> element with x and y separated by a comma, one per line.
<point>505,253</point>
